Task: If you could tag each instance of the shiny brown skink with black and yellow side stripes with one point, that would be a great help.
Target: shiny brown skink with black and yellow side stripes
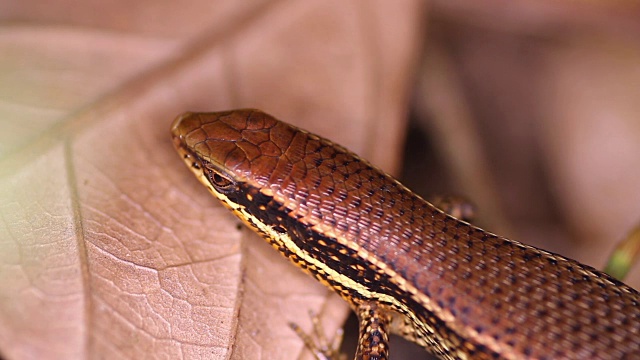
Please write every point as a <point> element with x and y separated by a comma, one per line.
<point>453,288</point>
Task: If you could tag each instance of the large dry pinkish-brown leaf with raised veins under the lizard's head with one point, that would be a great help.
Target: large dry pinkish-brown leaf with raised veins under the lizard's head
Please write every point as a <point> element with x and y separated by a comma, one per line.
<point>109,248</point>
